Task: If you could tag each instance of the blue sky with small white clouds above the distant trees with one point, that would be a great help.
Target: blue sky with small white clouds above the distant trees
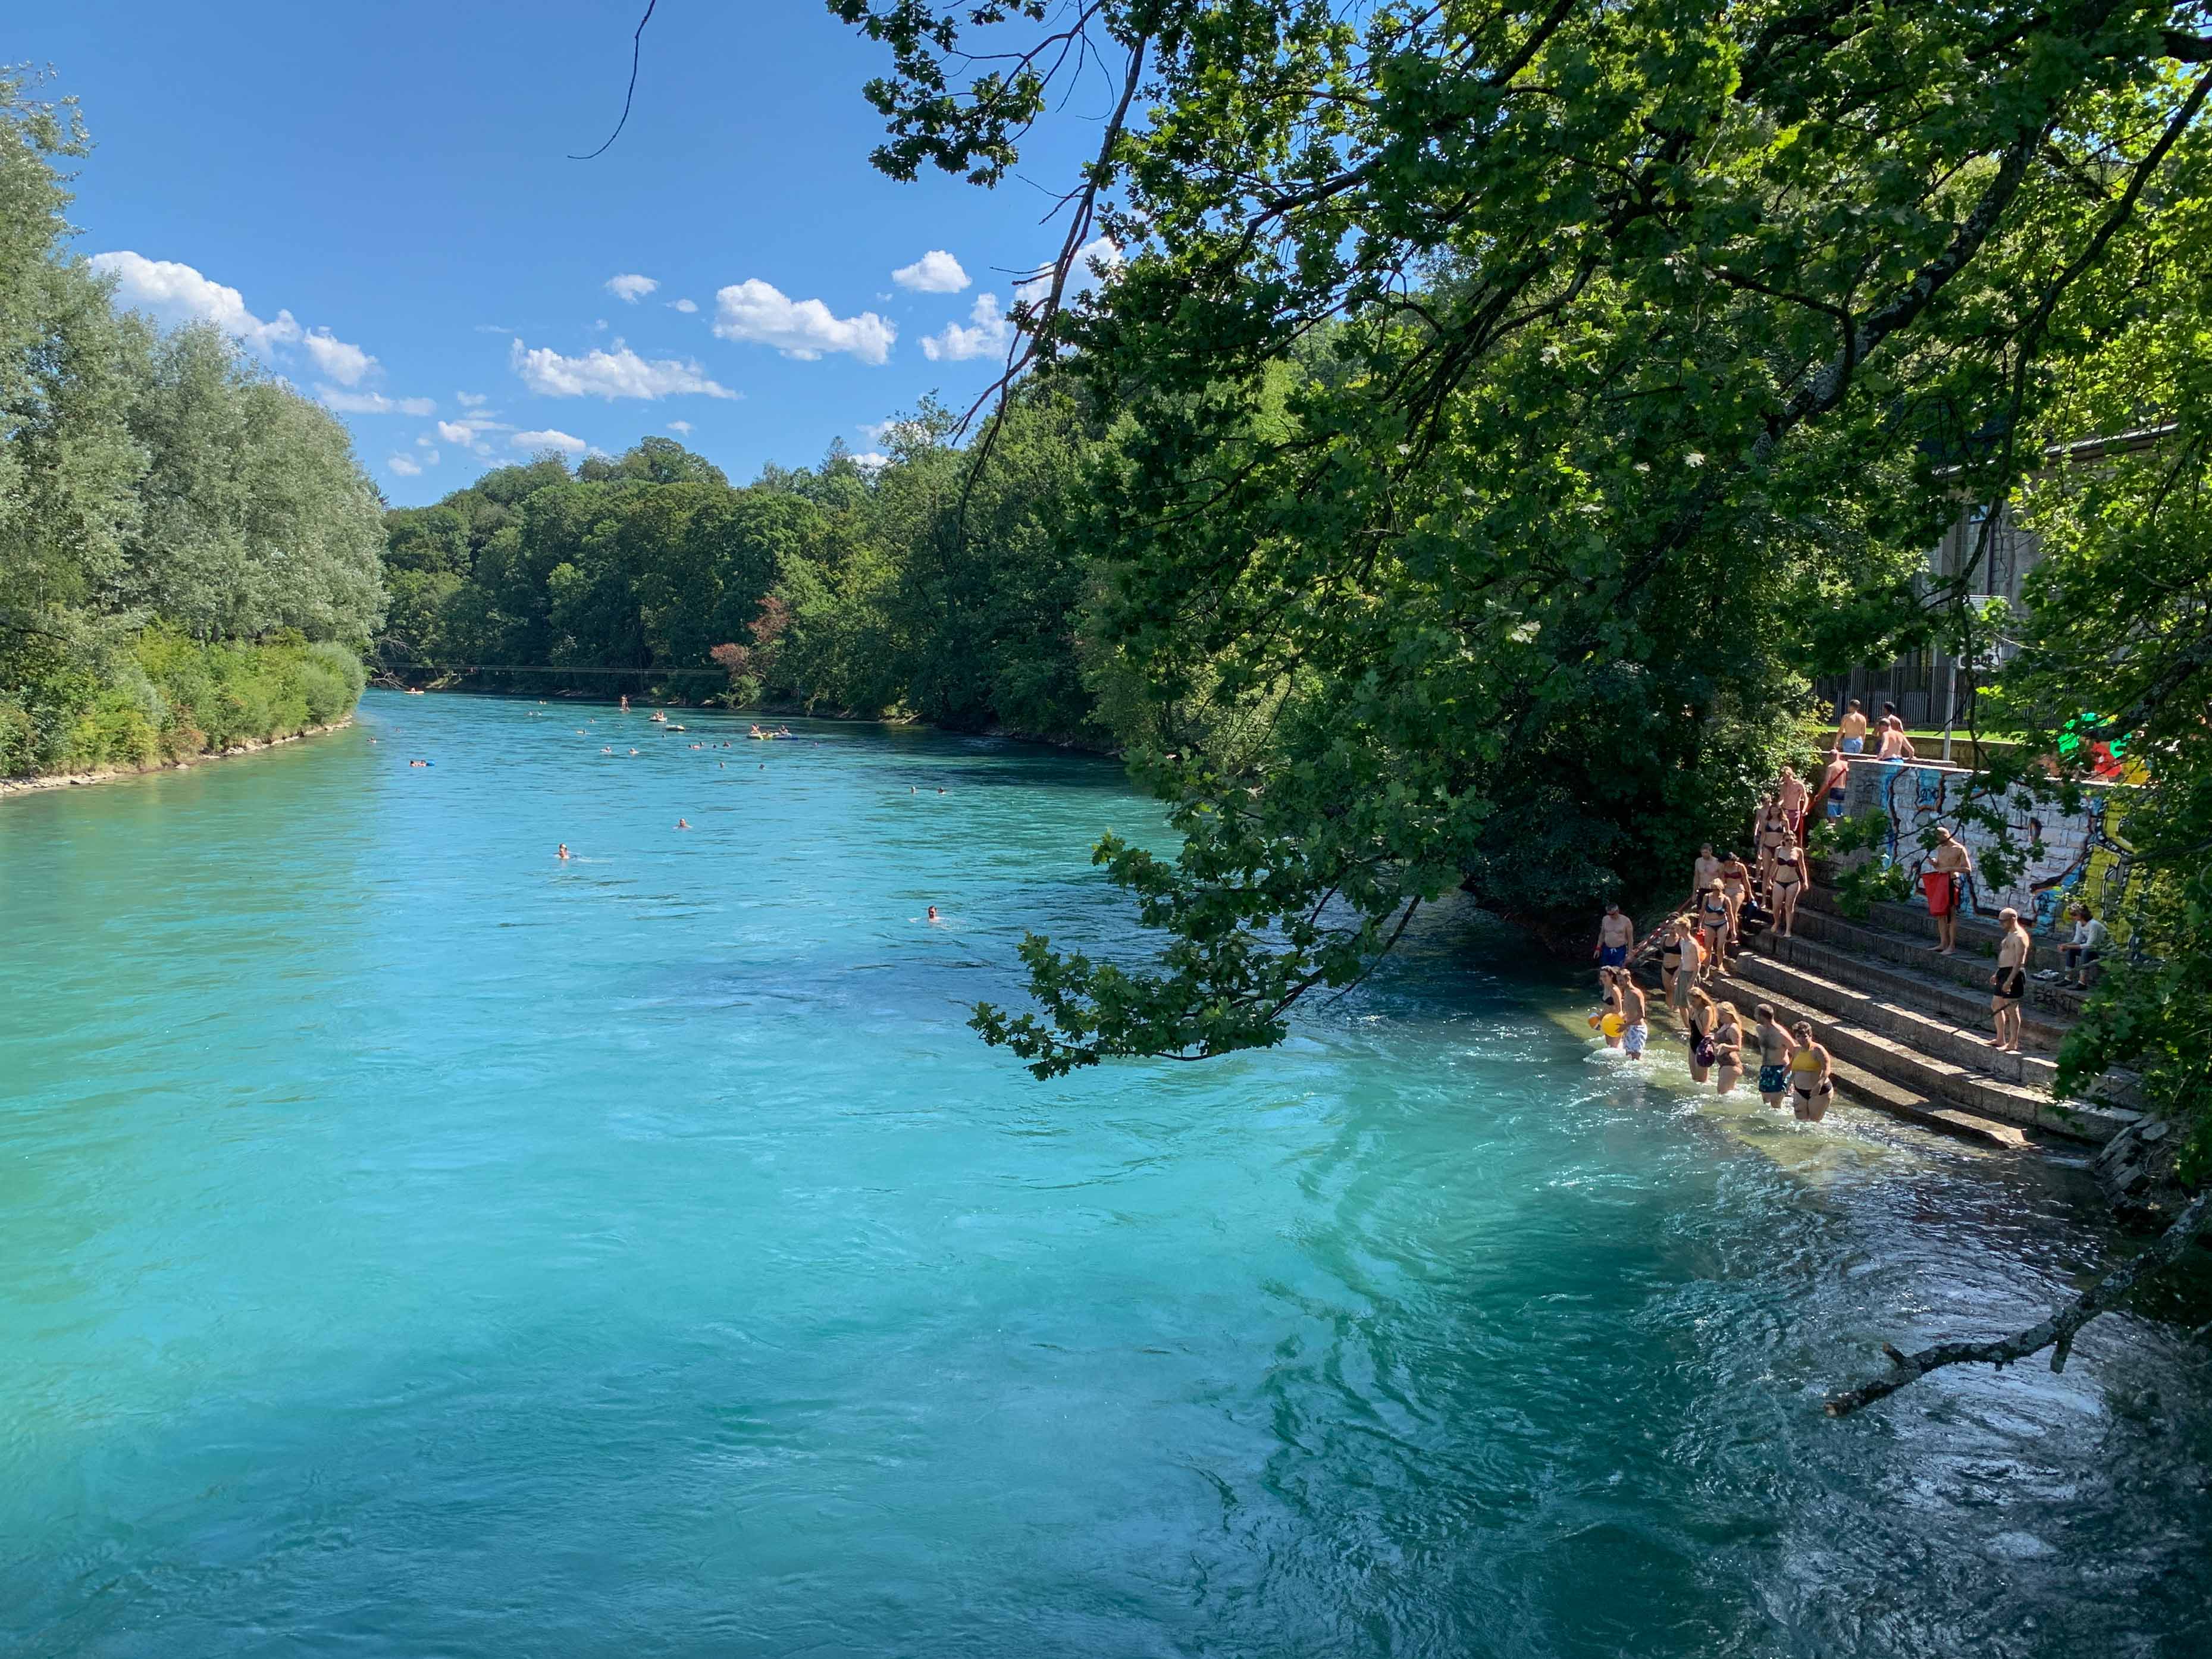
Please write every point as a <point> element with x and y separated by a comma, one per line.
<point>386,194</point>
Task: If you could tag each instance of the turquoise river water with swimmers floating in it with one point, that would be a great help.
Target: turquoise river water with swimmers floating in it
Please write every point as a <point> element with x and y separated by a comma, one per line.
<point>421,1246</point>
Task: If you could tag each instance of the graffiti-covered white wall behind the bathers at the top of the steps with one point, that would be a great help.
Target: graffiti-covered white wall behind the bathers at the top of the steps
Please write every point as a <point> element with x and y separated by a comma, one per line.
<point>2065,857</point>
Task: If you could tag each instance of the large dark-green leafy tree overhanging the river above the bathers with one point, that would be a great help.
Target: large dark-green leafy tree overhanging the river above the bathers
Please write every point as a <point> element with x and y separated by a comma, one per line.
<point>1649,351</point>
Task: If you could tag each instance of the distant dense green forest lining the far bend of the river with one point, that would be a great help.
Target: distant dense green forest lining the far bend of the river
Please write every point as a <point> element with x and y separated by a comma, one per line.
<point>888,589</point>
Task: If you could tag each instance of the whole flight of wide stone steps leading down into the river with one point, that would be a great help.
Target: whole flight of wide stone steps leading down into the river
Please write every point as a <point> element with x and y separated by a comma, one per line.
<point>1910,1030</point>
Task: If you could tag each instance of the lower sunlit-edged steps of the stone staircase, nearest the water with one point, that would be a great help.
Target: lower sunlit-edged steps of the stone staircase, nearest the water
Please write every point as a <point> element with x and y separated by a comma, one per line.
<point>1941,1083</point>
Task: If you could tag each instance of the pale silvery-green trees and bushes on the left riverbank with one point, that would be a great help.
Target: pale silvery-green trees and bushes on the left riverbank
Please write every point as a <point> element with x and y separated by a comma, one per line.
<point>189,554</point>
